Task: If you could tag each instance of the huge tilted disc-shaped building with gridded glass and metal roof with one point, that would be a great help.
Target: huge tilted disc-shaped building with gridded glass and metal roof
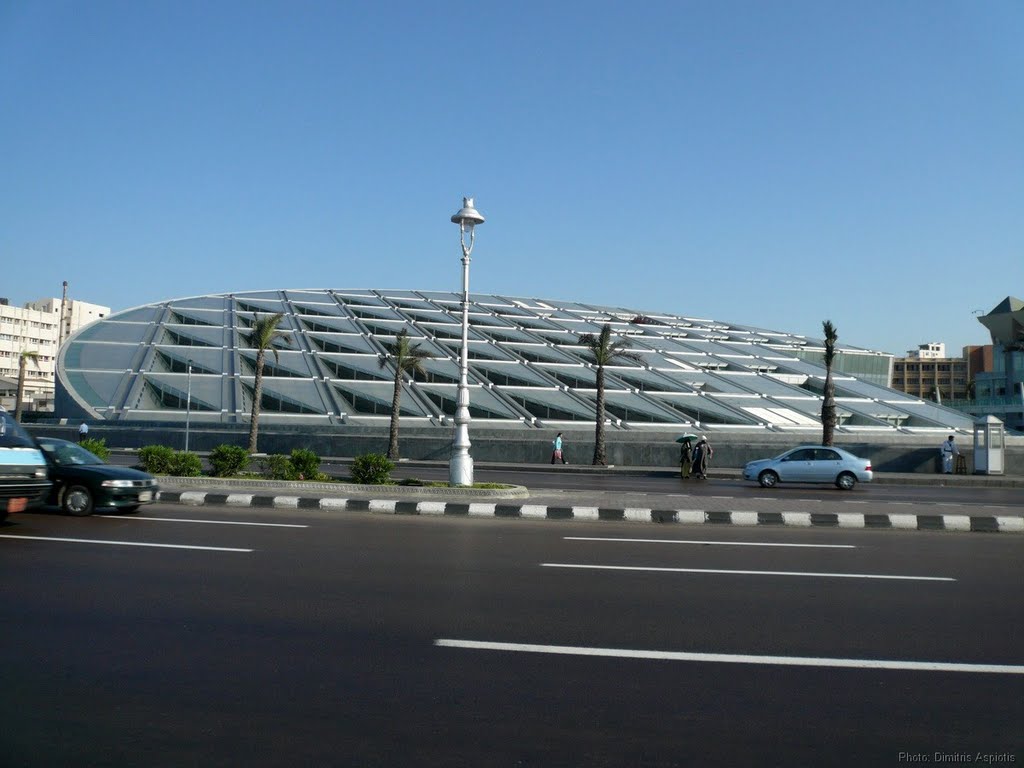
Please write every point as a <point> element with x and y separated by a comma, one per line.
<point>528,368</point>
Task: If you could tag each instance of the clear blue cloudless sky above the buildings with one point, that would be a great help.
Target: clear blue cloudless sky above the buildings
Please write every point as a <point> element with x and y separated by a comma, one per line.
<point>772,164</point>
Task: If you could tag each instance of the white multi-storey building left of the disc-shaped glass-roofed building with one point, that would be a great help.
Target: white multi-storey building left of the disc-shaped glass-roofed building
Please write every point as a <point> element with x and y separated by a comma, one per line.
<point>37,328</point>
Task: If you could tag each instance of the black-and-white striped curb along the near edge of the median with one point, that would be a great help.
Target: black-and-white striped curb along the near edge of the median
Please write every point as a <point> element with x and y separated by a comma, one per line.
<point>635,515</point>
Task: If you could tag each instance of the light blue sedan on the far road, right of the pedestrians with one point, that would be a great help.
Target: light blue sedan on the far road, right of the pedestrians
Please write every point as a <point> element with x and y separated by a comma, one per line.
<point>812,464</point>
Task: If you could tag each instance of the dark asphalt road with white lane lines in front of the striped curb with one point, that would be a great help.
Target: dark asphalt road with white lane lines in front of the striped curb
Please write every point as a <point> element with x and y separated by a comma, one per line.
<point>217,637</point>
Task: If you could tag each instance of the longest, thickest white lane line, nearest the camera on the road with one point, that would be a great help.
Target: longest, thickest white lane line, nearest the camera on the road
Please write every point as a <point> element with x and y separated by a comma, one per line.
<point>670,656</point>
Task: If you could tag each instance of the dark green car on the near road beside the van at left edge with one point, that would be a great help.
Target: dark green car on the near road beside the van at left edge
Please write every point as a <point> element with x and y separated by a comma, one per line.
<point>83,482</point>
